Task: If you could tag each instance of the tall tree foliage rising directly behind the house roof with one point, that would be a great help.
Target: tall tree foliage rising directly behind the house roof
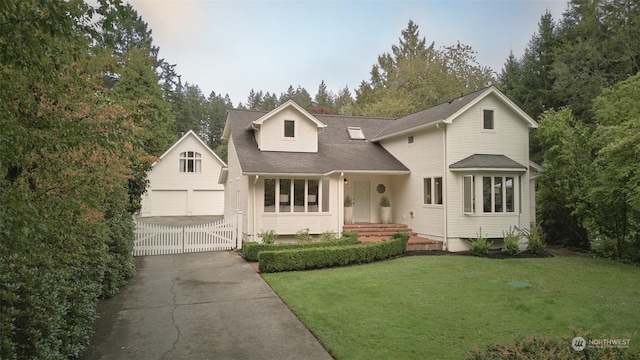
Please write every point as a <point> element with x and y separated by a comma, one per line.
<point>415,76</point>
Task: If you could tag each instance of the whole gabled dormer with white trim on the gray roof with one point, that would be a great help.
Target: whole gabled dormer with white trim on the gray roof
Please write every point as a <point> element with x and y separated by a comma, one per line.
<point>289,128</point>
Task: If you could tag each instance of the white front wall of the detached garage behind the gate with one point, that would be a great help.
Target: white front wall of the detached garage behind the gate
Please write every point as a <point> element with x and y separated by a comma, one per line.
<point>171,192</point>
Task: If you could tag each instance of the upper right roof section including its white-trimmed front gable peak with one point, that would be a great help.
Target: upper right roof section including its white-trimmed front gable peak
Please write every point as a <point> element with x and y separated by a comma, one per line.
<point>446,113</point>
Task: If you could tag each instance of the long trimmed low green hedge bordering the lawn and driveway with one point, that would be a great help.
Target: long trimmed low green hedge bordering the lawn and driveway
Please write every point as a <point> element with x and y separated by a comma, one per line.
<point>321,257</point>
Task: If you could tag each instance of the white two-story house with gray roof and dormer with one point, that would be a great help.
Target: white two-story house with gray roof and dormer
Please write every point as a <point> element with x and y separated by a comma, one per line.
<point>448,171</point>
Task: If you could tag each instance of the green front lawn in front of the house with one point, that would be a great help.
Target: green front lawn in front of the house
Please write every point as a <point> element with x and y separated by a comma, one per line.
<point>438,307</point>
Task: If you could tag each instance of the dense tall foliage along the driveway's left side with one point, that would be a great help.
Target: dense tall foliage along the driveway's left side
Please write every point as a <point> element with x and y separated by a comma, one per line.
<point>78,122</point>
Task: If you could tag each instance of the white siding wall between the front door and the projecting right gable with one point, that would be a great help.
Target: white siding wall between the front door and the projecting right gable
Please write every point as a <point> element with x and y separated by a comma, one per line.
<point>425,159</point>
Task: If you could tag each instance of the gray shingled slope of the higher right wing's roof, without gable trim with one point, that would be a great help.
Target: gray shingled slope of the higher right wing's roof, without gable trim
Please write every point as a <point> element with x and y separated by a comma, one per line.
<point>428,116</point>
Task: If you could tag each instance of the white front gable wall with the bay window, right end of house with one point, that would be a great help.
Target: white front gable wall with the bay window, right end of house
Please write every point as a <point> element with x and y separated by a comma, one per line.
<point>465,137</point>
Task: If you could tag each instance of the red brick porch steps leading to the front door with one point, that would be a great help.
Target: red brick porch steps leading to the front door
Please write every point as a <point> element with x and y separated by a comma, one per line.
<point>378,232</point>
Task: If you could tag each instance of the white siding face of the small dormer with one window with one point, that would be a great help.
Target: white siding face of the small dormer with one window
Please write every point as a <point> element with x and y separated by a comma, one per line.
<point>271,134</point>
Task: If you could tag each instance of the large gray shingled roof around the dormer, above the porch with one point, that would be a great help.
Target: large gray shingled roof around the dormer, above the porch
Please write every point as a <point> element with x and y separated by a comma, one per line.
<point>336,152</point>
